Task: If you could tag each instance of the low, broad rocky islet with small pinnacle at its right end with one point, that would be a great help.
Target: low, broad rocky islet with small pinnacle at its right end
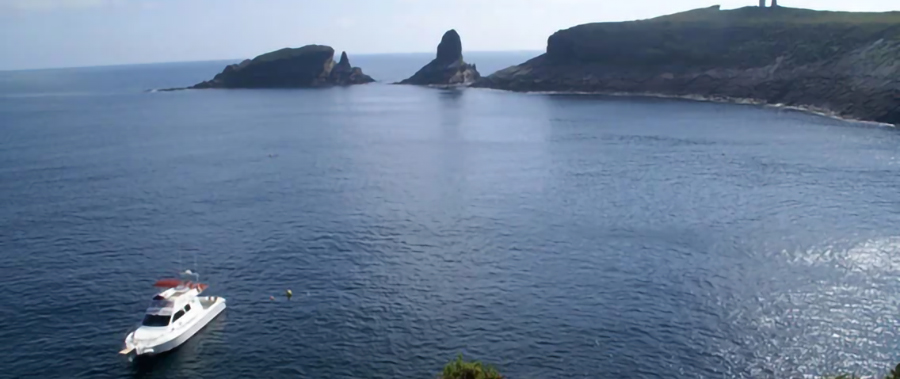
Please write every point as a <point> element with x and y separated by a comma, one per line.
<point>305,67</point>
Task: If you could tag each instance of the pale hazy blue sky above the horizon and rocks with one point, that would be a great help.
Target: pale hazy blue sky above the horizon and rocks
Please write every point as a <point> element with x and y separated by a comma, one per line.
<point>72,33</point>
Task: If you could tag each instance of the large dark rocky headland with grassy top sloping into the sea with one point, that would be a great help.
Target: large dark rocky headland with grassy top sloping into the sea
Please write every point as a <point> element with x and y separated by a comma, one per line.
<point>839,62</point>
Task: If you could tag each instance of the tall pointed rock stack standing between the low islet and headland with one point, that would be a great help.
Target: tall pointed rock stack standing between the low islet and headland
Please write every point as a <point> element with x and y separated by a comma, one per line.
<point>448,68</point>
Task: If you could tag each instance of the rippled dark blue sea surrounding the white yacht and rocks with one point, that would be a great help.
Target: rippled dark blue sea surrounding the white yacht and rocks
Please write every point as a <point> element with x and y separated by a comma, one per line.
<point>549,235</point>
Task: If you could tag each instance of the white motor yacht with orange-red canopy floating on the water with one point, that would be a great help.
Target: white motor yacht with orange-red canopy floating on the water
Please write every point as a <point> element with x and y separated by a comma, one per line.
<point>174,316</point>
